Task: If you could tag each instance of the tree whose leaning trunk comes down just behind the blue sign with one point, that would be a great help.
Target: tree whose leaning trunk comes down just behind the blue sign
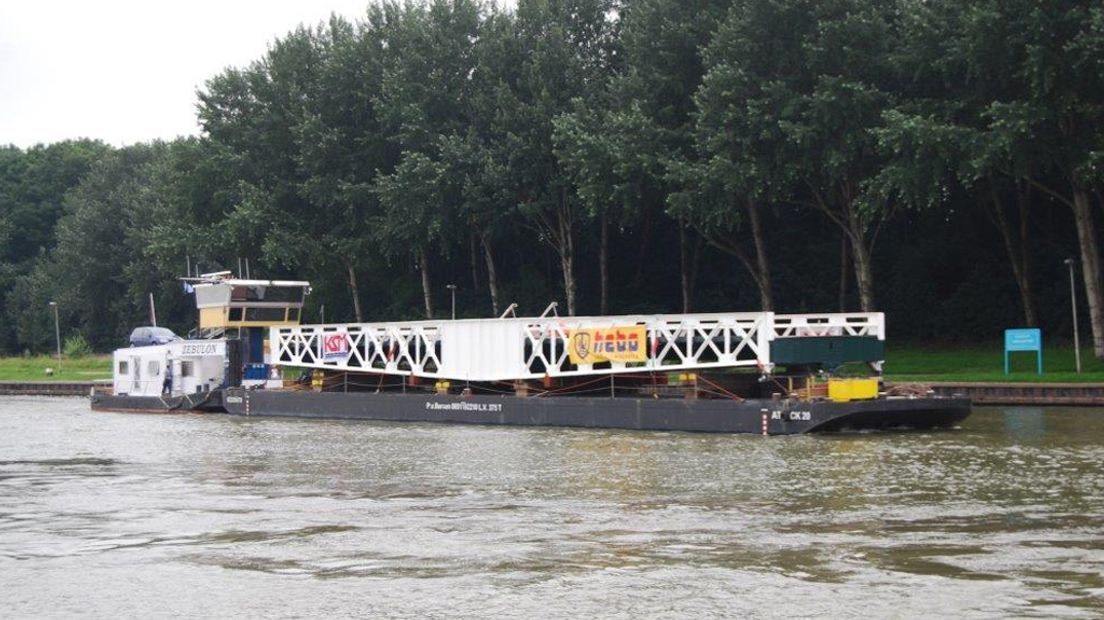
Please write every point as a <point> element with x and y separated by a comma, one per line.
<point>956,60</point>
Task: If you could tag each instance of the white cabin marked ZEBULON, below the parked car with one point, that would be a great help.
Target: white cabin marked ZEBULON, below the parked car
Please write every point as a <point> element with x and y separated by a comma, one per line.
<point>181,368</point>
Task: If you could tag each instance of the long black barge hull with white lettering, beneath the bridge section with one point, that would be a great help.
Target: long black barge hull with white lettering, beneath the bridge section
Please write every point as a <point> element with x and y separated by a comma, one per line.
<point>780,418</point>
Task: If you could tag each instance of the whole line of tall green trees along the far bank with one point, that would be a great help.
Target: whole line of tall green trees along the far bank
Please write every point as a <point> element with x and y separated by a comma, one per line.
<point>935,159</point>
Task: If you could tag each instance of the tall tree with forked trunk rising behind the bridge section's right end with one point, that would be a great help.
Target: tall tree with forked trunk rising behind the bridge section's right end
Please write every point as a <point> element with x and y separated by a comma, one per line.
<point>795,90</point>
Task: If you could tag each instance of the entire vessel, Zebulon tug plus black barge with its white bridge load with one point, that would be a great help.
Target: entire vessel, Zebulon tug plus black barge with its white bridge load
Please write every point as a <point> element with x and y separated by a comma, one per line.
<point>731,372</point>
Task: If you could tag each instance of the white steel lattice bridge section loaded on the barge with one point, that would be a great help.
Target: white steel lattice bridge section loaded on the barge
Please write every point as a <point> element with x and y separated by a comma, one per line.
<point>535,348</point>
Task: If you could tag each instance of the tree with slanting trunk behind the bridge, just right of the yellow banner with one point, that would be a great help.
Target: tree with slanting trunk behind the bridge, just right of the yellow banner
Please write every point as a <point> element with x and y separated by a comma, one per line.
<point>752,94</point>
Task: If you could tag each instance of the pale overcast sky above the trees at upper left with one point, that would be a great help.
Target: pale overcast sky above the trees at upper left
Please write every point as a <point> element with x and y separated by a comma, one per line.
<point>124,71</point>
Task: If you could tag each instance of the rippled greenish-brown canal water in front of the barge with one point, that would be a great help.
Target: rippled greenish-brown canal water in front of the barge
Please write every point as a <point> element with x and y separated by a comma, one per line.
<point>169,516</point>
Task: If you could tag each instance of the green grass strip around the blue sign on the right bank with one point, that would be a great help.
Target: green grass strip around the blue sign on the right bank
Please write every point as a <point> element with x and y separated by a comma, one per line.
<point>986,364</point>
